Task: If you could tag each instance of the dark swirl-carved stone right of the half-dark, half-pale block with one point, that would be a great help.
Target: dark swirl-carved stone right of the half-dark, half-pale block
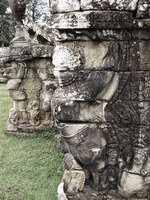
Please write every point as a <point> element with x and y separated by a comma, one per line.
<point>127,113</point>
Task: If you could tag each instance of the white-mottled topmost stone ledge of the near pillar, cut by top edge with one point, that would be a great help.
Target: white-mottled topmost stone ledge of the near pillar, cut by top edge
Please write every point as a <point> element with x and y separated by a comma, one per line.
<point>141,8</point>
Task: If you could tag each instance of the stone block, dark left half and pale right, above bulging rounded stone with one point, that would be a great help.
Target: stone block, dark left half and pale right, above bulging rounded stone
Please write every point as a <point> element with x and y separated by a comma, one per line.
<point>82,112</point>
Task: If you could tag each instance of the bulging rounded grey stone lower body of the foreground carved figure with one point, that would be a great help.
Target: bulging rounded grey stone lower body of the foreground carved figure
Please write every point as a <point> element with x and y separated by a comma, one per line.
<point>87,142</point>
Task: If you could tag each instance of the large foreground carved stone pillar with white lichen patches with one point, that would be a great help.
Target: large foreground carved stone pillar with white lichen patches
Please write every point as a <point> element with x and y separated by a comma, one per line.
<point>101,106</point>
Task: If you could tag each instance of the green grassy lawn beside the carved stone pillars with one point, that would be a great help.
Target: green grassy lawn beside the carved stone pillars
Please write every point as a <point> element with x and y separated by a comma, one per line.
<point>30,168</point>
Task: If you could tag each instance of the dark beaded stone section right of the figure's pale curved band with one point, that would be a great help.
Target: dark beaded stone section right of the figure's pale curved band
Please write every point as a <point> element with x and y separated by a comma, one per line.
<point>133,86</point>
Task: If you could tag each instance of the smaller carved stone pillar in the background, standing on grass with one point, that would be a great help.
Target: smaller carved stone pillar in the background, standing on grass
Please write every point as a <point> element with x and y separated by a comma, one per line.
<point>31,85</point>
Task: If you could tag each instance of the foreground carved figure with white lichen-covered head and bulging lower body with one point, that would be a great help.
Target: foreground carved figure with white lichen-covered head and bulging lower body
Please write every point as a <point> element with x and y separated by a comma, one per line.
<point>80,118</point>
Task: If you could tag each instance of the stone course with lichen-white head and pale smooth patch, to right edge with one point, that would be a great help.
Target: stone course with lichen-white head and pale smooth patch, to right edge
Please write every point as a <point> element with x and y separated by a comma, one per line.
<point>109,55</point>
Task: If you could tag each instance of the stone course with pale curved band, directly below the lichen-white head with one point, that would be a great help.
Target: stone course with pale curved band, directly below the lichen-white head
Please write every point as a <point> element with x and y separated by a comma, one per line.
<point>107,85</point>
